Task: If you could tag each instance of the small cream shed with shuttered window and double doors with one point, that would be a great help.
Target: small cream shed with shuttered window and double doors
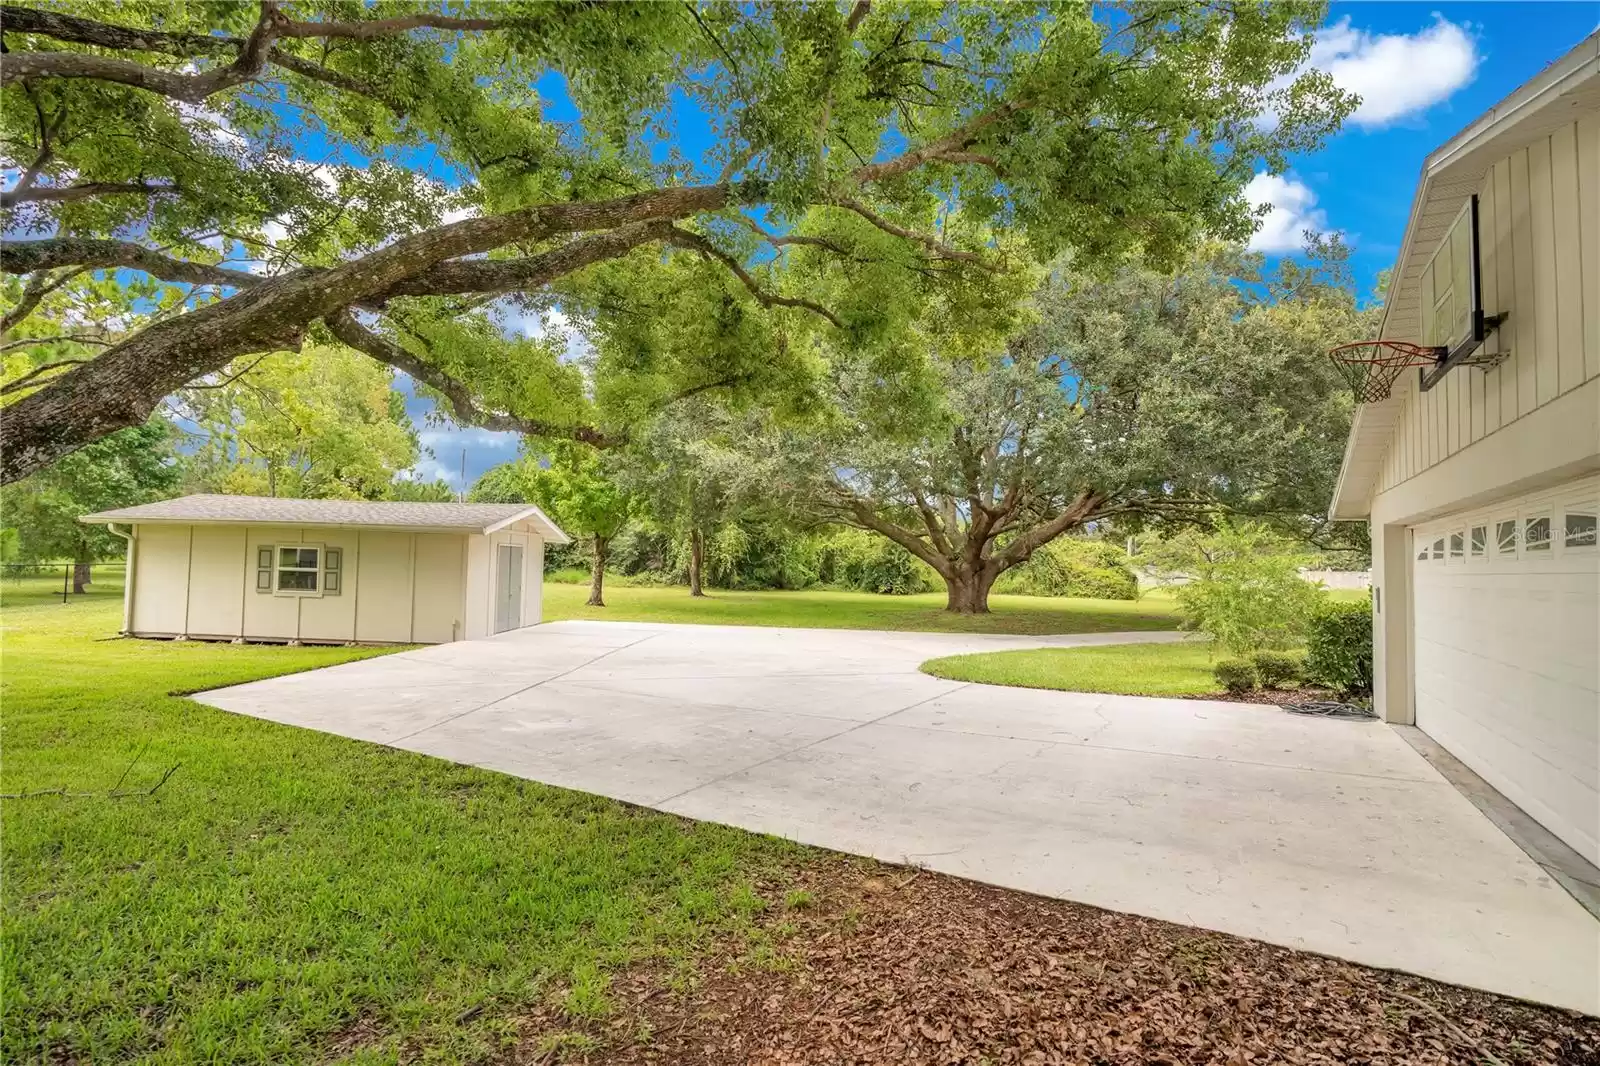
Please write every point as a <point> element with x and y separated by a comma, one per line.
<point>330,571</point>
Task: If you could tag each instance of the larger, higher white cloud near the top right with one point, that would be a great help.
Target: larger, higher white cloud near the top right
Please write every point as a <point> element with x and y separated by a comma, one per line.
<point>1398,74</point>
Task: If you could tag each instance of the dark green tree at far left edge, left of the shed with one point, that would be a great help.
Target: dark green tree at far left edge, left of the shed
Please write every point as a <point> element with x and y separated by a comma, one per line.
<point>129,468</point>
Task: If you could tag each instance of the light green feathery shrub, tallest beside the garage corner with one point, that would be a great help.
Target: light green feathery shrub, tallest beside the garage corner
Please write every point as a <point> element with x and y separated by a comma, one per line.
<point>1242,587</point>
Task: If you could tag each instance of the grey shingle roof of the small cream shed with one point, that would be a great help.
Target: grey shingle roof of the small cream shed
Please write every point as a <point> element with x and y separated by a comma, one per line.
<point>209,510</point>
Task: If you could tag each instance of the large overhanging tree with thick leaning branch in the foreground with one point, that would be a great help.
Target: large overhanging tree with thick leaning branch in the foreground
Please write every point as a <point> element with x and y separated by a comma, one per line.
<point>161,140</point>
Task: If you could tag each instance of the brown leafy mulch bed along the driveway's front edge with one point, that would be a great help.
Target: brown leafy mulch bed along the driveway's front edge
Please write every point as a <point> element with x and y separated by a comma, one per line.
<point>900,968</point>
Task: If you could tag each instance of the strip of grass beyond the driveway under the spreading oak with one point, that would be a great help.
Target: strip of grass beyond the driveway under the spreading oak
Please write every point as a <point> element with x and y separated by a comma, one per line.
<point>858,611</point>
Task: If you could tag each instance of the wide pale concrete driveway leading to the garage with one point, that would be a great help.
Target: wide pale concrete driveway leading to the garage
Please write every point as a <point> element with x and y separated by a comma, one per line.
<point>1329,836</point>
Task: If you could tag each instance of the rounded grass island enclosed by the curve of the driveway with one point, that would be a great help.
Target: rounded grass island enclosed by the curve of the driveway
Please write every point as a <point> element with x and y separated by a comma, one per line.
<point>1135,670</point>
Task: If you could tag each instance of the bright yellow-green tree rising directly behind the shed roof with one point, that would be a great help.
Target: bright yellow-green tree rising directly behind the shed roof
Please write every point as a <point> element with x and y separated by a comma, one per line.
<point>314,425</point>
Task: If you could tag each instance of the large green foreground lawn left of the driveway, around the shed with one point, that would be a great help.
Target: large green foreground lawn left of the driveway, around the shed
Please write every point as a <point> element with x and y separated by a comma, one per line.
<point>286,886</point>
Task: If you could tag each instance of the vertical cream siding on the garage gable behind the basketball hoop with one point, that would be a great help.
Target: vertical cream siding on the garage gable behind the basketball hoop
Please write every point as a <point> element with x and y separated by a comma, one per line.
<point>1540,228</point>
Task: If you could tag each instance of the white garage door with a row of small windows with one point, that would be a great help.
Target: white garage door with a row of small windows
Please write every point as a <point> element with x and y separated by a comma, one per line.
<point>1508,652</point>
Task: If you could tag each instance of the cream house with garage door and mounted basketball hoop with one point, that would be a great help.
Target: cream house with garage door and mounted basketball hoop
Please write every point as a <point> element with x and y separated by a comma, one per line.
<point>1481,475</point>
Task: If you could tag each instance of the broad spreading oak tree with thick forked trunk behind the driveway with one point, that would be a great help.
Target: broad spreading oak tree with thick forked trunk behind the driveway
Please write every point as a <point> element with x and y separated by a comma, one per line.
<point>1140,396</point>
